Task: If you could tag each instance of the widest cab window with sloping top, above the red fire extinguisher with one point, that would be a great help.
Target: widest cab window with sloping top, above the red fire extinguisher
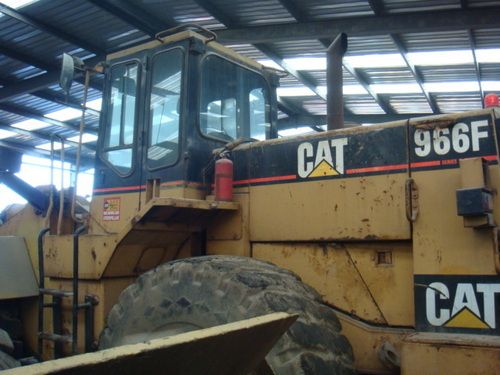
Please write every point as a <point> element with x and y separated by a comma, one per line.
<point>234,101</point>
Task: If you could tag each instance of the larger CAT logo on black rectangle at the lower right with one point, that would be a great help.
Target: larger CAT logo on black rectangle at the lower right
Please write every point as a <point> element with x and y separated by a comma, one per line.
<point>457,303</point>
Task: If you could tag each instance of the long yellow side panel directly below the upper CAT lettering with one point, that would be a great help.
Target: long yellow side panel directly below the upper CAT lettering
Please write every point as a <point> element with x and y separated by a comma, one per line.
<point>366,208</point>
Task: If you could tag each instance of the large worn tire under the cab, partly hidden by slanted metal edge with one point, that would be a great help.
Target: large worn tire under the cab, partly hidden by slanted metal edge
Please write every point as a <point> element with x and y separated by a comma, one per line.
<point>201,292</point>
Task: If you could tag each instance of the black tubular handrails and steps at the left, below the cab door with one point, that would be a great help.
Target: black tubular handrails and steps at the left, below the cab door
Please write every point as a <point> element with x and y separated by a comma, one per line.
<point>56,305</point>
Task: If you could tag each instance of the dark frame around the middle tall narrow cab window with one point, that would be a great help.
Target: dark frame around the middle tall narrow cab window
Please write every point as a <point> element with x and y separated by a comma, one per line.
<point>147,107</point>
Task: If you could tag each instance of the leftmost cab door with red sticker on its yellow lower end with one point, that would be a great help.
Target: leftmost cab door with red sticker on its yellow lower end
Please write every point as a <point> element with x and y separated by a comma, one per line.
<point>118,172</point>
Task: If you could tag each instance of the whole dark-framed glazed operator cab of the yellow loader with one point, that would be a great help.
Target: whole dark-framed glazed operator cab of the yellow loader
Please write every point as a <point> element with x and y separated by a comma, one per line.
<point>168,104</point>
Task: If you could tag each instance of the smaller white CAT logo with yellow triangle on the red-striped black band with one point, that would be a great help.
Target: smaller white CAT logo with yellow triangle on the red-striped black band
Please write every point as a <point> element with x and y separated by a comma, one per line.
<point>324,159</point>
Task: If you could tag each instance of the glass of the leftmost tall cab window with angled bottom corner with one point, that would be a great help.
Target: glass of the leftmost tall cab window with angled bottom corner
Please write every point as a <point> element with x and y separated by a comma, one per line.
<point>120,124</point>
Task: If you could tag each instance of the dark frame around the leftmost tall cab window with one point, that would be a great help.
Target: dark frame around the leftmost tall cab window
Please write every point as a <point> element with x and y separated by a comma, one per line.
<point>105,123</point>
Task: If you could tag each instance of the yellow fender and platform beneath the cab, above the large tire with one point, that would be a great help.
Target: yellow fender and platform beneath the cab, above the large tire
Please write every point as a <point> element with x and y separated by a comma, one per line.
<point>154,229</point>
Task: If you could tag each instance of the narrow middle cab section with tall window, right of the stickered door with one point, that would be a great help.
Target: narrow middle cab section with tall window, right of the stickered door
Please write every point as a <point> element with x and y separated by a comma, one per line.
<point>164,121</point>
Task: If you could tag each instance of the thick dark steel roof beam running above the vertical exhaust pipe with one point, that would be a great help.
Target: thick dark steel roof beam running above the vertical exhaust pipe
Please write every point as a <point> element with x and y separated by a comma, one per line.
<point>435,21</point>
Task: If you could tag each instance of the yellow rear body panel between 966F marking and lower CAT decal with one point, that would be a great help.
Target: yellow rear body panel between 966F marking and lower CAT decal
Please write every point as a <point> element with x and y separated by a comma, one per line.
<point>441,244</point>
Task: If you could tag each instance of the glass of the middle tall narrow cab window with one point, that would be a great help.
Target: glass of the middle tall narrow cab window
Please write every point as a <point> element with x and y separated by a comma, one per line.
<point>164,111</point>
